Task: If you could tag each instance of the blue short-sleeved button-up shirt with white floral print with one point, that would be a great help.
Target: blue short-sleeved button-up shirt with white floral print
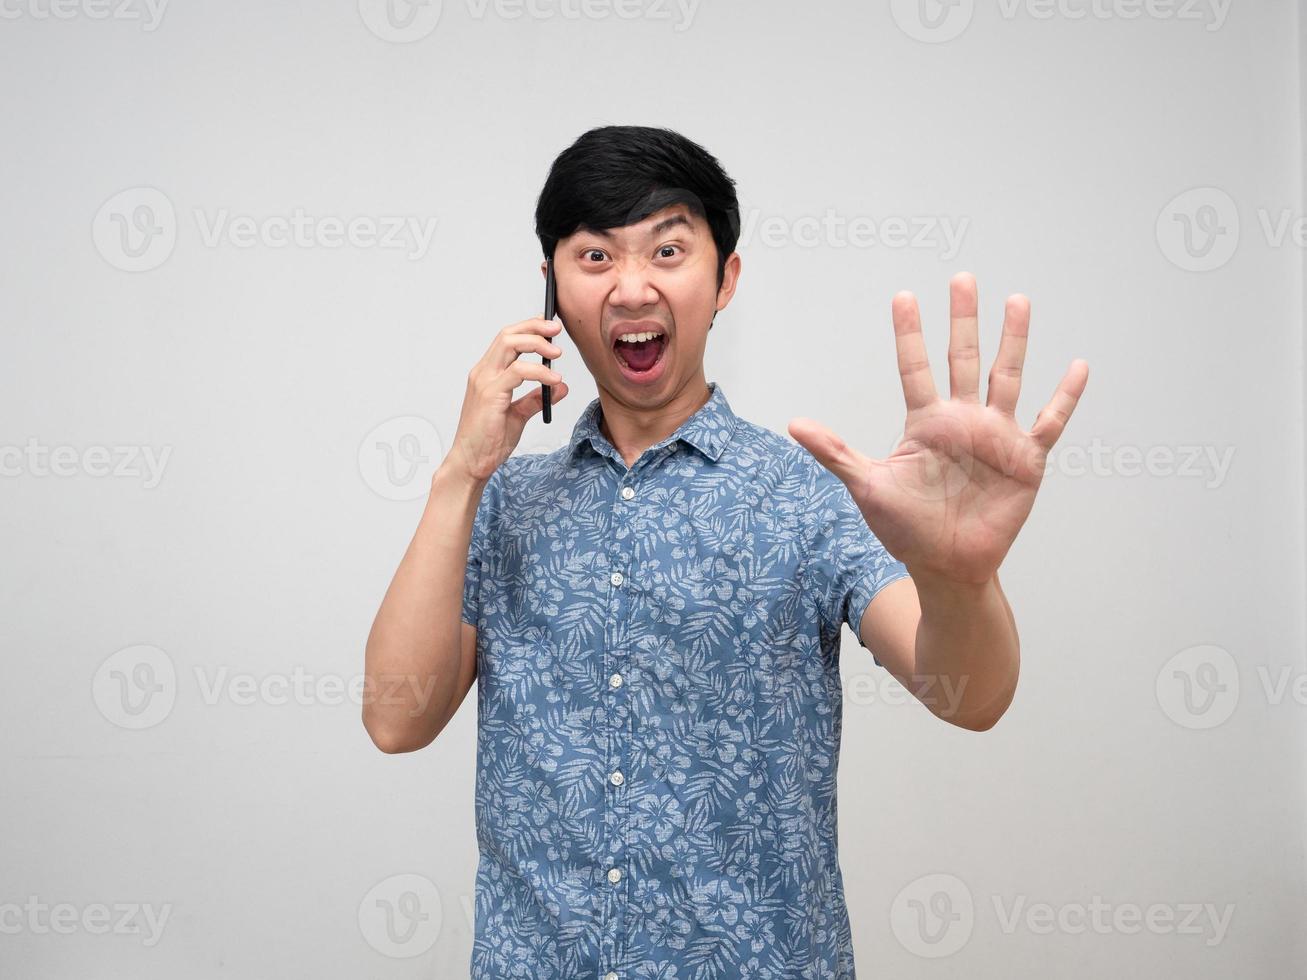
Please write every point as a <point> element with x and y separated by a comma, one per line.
<point>659,706</point>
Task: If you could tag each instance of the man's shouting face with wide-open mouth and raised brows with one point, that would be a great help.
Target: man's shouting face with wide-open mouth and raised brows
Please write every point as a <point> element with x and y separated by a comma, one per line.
<point>658,276</point>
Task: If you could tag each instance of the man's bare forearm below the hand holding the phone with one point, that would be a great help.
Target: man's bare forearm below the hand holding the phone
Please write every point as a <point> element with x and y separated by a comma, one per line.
<point>415,647</point>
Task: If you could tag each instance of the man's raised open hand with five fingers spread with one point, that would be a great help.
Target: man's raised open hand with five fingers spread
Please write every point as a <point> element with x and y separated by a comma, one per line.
<point>952,497</point>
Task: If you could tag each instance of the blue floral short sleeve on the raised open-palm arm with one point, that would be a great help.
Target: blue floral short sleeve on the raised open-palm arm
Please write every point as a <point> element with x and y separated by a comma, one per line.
<point>846,564</point>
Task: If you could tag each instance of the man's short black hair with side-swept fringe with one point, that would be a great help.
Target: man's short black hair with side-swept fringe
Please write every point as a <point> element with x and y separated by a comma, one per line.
<point>618,176</point>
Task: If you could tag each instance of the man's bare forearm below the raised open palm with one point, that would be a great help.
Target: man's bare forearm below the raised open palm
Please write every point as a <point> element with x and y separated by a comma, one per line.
<point>968,645</point>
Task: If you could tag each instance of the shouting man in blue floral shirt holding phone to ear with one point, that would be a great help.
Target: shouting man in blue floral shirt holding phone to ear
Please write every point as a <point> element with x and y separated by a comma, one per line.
<point>653,613</point>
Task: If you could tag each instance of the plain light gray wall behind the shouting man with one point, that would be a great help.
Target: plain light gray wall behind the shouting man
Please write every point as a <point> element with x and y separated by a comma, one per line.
<point>181,633</point>
